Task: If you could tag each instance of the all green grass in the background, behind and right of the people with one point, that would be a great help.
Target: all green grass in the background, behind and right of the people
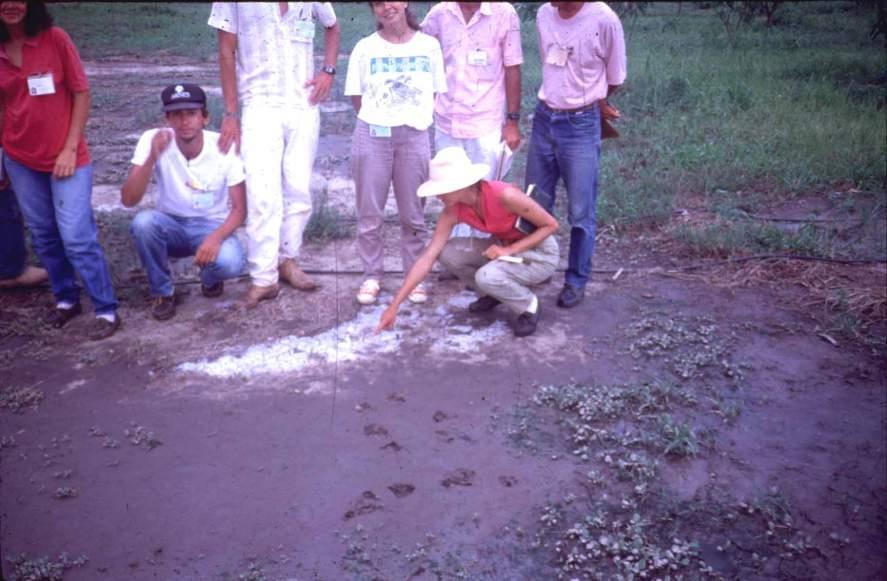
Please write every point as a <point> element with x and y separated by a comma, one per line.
<point>792,110</point>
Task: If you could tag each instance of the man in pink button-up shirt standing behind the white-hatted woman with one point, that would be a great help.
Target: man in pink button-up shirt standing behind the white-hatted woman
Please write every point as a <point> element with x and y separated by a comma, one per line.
<point>482,56</point>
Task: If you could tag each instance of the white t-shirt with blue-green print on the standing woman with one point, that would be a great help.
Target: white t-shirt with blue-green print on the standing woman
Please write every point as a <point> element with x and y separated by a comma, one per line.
<point>396,82</point>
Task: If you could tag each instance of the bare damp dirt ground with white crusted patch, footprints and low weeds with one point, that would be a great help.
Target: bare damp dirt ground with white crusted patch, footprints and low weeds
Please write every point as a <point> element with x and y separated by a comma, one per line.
<point>668,425</point>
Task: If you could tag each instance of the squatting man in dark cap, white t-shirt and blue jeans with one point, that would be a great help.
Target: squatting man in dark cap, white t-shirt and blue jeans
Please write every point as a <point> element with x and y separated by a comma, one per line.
<point>194,183</point>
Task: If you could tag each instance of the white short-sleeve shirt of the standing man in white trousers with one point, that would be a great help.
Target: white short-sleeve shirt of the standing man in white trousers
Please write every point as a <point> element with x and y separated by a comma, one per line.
<point>275,54</point>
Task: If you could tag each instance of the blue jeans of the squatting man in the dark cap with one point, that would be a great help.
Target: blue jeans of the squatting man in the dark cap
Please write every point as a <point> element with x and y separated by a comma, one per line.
<point>159,236</point>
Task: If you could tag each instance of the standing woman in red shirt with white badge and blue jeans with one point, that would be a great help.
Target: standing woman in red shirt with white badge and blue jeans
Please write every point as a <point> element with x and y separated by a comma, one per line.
<point>44,96</point>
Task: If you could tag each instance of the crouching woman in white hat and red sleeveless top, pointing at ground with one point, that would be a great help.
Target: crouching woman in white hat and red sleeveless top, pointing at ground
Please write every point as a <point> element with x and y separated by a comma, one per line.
<point>502,267</point>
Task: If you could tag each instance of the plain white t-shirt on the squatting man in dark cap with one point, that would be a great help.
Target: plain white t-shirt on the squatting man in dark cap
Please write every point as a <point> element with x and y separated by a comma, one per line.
<point>196,188</point>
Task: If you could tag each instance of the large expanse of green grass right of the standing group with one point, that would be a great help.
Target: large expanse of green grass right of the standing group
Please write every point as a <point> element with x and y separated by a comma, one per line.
<point>792,107</point>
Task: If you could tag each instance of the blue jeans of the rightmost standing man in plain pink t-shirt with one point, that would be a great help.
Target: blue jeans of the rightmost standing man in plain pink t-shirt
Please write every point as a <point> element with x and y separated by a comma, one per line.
<point>568,145</point>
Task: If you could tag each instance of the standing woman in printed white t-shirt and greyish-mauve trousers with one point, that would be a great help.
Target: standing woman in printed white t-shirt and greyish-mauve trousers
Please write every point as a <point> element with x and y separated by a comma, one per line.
<point>393,76</point>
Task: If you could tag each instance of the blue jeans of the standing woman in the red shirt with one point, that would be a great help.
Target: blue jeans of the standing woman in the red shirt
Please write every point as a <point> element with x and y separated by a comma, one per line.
<point>63,230</point>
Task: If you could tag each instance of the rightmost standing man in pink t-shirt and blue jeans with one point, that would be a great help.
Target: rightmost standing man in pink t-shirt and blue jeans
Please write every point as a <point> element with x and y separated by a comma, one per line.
<point>583,61</point>
